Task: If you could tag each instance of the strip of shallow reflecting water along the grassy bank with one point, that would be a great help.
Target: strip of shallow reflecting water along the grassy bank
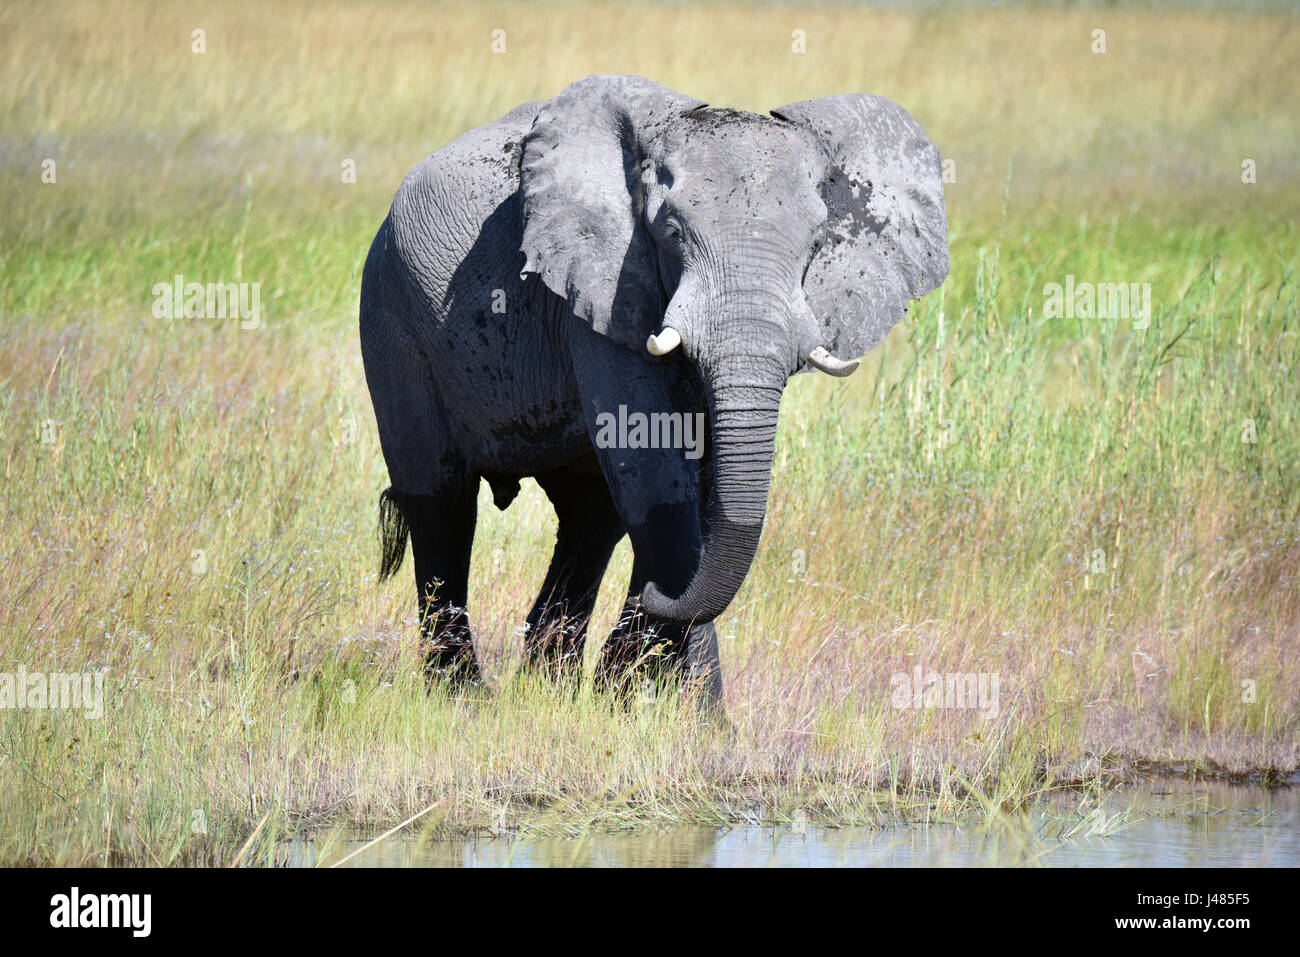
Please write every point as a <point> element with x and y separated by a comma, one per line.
<point>1156,825</point>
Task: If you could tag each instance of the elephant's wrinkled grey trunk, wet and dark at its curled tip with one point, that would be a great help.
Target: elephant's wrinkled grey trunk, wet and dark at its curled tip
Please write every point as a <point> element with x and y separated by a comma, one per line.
<point>743,417</point>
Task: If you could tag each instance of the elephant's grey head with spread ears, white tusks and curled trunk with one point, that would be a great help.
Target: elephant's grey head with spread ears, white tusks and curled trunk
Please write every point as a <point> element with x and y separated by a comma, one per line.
<point>752,248</point>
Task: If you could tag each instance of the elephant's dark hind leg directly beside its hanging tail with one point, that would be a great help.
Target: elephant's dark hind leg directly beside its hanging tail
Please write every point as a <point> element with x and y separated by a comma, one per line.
<point>443,534</point>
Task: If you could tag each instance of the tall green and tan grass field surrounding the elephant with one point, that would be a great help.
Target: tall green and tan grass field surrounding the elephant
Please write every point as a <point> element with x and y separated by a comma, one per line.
<point>1106,517</point>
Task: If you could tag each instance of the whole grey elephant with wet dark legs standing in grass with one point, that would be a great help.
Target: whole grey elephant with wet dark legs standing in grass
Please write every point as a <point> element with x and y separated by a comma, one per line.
<point>509,297</point>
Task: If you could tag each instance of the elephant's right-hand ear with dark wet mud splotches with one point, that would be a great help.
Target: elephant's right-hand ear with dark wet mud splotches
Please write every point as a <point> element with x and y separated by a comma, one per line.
<point>886,240</point>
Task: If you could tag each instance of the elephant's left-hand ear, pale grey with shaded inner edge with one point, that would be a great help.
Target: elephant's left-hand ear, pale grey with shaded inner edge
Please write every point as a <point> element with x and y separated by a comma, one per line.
<point>580,176</point>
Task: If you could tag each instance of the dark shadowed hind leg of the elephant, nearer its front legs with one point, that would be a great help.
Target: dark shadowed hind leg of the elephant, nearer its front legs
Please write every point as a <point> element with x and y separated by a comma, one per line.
<point>590,529</point>
